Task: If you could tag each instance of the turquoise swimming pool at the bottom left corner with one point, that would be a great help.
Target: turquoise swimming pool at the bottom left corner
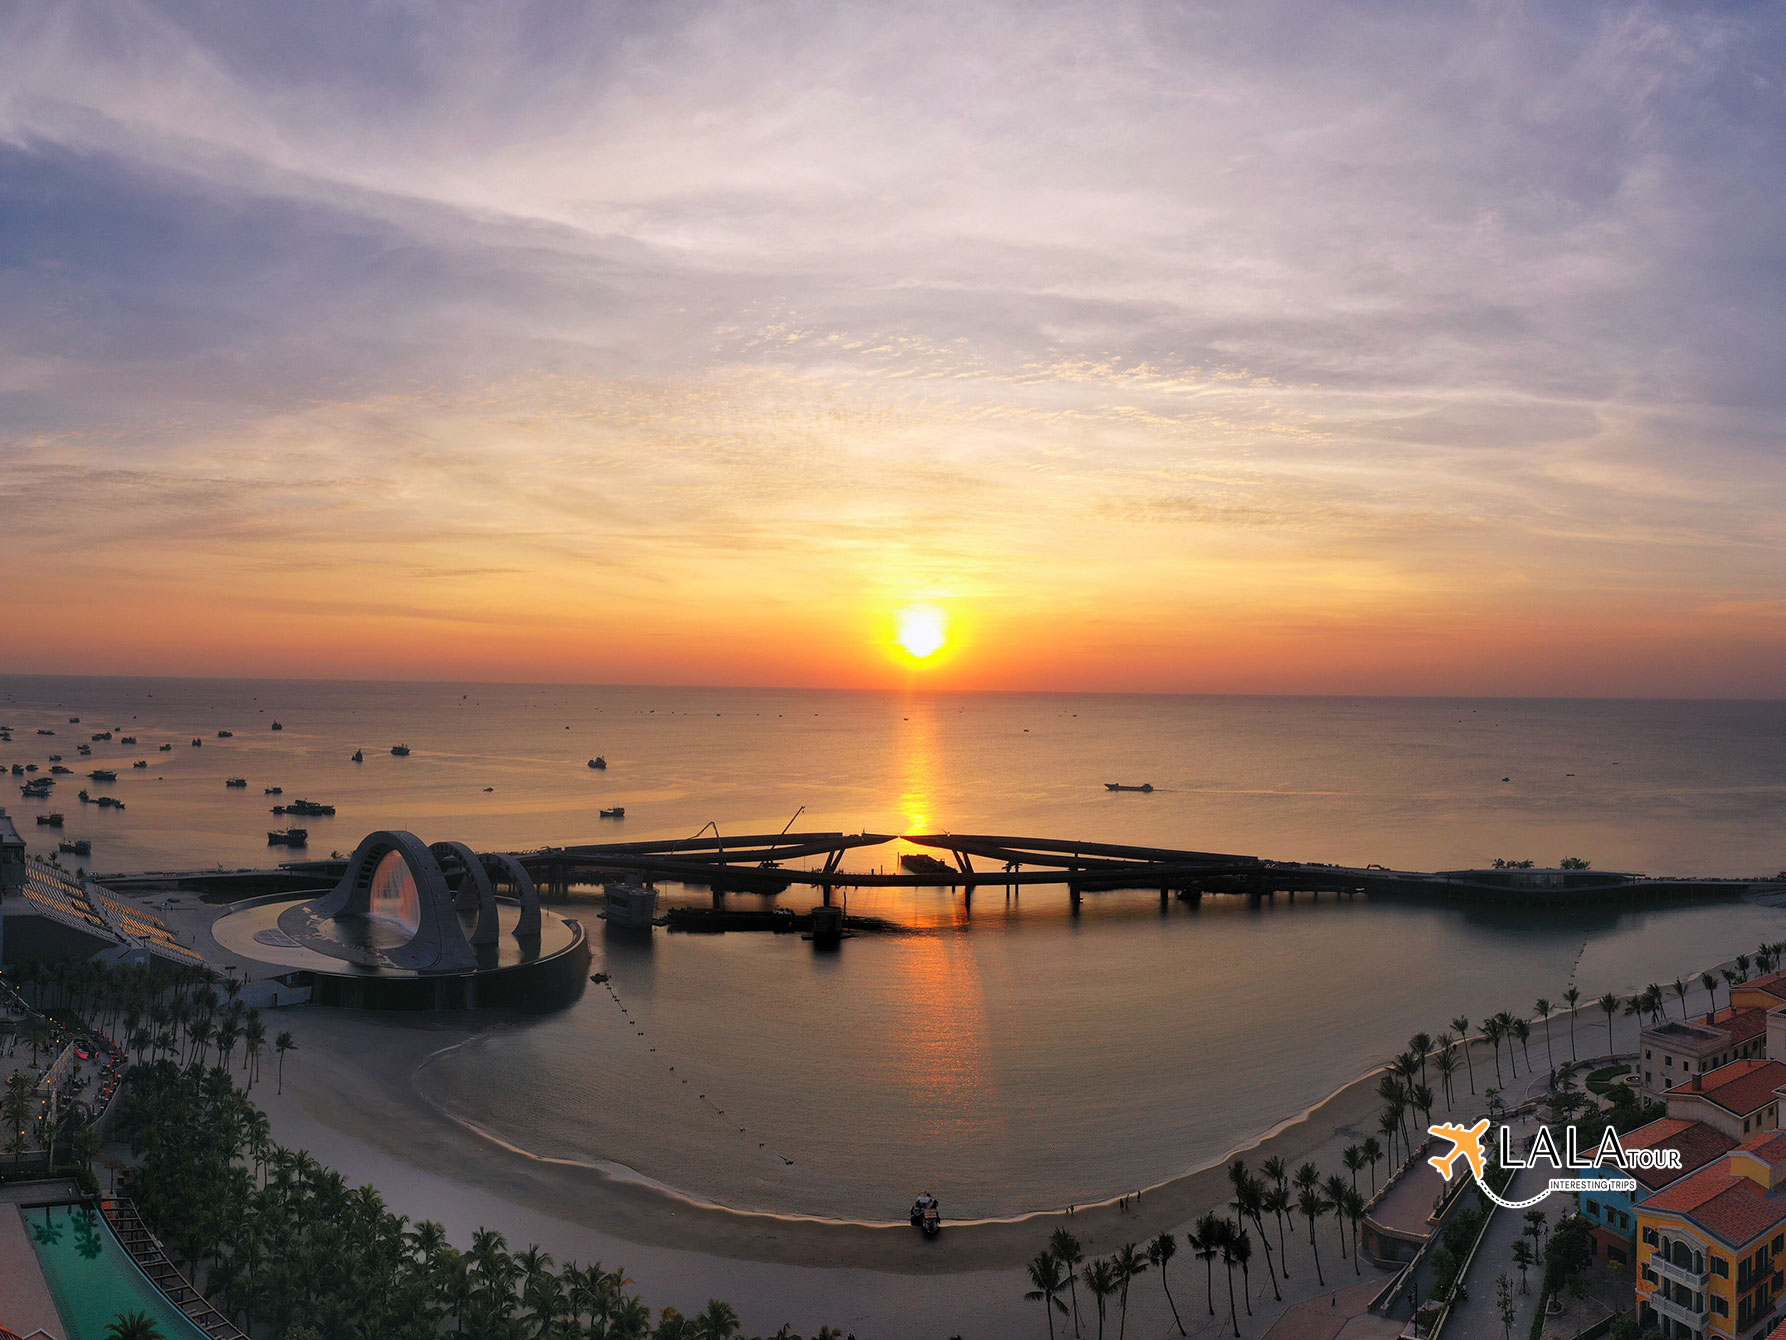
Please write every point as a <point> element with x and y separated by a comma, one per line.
<point>94,1278</point>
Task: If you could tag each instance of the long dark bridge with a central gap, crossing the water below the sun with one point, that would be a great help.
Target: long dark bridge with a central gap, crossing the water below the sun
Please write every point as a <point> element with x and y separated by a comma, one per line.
<point>767,864</point>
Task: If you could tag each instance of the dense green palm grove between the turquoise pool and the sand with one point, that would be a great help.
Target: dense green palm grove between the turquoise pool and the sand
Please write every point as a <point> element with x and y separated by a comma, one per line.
<point>280,1239</point>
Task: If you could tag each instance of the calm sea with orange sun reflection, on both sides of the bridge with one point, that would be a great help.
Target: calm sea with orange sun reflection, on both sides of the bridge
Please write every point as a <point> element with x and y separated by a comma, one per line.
<point>1012,1057</point>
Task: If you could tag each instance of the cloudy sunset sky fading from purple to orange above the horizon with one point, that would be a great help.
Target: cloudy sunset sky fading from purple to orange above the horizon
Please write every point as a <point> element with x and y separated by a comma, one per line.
<point>1324,348</point>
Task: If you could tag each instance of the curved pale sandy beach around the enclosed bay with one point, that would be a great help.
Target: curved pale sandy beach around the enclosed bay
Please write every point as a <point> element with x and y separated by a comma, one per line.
<point>351,1101</point>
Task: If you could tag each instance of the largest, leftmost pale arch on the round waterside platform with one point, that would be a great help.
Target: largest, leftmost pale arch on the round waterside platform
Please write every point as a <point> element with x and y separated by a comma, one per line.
<point>397,867</point>
